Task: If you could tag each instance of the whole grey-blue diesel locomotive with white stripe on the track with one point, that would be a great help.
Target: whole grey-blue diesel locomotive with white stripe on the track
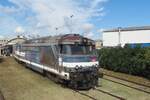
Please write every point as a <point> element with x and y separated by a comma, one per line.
<point>67,58</point>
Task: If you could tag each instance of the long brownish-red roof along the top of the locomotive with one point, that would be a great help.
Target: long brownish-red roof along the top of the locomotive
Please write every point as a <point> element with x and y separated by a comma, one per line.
<point>68,38</point>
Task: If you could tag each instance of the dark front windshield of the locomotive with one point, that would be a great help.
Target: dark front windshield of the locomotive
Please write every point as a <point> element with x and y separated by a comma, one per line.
<point>73,49</point>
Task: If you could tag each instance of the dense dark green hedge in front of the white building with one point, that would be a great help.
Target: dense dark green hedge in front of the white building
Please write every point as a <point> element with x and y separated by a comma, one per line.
<point>129,60</point>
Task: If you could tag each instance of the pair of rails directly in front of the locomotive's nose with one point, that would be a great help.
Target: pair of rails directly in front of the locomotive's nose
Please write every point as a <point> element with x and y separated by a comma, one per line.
<point>102,91</point>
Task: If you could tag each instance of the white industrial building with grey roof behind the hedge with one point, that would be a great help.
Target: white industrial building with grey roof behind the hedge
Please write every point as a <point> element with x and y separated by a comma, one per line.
<point>130,35</point>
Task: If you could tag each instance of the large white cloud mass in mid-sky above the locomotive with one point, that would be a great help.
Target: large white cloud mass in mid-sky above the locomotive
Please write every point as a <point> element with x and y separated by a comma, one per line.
<point>44,16</point>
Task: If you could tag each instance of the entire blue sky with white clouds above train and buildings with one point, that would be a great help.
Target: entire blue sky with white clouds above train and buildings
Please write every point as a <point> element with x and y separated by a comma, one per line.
<point>41,17</point>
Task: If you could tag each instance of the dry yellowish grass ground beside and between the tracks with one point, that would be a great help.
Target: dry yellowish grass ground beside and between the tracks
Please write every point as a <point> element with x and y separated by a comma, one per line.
<point>20,83</point>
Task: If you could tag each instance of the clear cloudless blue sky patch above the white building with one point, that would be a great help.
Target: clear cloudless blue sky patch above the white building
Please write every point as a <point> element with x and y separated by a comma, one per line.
<point>125,13</point>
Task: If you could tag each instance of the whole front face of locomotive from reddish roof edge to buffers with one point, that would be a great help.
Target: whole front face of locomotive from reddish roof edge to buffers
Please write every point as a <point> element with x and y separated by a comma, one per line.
<point>79,62</point>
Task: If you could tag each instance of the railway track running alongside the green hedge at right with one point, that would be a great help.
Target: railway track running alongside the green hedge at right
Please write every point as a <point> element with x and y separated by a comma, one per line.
<point>137,86</point>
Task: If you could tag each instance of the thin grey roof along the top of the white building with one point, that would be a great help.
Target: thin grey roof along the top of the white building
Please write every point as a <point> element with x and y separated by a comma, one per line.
<point>128,29</point>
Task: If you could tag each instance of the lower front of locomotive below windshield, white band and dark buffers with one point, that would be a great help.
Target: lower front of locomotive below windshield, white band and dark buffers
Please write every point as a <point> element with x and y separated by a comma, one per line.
<point>83,71</point>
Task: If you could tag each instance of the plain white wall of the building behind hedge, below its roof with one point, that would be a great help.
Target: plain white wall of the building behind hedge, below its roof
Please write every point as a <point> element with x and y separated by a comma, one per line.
<point>126,37</point>
